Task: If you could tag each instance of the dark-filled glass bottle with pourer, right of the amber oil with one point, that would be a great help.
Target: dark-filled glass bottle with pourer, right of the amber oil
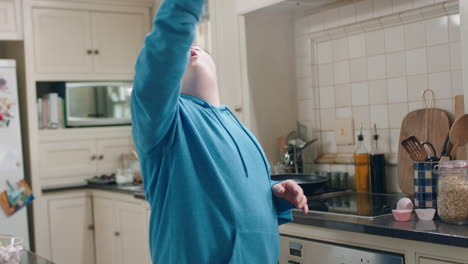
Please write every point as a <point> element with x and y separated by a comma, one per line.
<point>377,166</point>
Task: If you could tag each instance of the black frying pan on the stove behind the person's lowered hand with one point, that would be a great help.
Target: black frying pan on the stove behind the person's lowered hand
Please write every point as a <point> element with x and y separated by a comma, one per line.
<point>310,183</point>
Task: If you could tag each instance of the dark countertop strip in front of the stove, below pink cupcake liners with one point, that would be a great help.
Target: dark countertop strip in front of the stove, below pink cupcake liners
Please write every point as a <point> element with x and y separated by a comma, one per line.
<point>434,231</point>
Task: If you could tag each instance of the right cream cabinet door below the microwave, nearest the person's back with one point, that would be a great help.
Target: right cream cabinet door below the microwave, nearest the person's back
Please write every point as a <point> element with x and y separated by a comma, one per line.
<point>110,153</point>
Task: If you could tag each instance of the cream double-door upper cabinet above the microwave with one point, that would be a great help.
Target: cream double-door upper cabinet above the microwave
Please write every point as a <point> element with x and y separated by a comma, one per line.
<point>86,42</point>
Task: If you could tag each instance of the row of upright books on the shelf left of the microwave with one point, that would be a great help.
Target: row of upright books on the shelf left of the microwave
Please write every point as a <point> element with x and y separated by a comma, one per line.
<point>50,111</point>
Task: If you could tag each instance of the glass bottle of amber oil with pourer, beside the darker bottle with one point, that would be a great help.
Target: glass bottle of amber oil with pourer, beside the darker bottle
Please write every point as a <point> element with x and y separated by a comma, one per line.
<point>361,165</point>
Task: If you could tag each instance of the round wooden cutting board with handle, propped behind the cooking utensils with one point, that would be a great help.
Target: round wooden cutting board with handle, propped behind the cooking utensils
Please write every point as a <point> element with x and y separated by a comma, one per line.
<point>427,124</point>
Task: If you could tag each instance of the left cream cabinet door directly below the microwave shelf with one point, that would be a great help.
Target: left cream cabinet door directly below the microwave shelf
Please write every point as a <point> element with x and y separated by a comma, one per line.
<point>67,162</point>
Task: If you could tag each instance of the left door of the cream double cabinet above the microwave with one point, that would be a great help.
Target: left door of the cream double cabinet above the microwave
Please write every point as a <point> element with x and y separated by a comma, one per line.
<point>62,41</point>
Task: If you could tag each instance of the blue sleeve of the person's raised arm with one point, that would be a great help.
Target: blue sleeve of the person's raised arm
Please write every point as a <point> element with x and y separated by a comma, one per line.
<point>159,70</point>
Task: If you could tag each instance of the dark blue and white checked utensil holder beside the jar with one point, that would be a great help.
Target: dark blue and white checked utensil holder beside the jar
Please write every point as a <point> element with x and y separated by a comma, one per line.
<point>425,185</point>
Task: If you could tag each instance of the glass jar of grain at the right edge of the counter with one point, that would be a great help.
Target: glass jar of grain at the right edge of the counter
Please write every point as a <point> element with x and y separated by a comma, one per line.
<point>452,188</point>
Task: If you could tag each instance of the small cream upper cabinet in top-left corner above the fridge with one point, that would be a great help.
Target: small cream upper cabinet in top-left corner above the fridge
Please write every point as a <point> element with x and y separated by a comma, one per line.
<point>11,26</point>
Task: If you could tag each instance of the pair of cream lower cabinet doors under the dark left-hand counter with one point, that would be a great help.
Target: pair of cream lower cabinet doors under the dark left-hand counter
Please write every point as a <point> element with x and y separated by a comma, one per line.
<point>94,227</point>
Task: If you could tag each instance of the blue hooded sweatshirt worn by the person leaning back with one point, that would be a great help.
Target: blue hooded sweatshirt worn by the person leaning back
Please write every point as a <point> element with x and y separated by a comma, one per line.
<point>206,177</point>
